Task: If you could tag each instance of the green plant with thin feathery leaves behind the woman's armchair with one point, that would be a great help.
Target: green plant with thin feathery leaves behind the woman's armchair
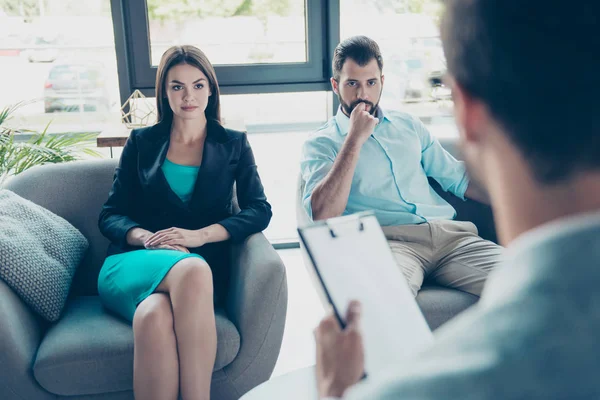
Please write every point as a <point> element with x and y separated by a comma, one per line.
<point>18,156</point>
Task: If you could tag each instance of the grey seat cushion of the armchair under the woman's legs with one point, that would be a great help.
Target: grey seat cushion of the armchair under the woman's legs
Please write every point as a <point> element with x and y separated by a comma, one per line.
<point>90,351</point>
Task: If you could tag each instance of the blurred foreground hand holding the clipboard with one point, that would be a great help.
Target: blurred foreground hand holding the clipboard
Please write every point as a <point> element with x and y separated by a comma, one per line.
<point>340,353</point>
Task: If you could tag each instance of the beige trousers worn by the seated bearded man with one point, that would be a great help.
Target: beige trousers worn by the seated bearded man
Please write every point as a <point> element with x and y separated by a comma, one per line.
<point>449,253</point>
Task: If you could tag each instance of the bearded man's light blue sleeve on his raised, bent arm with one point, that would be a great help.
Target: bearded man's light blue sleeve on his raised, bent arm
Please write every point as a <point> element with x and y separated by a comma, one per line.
<point>318,155</point>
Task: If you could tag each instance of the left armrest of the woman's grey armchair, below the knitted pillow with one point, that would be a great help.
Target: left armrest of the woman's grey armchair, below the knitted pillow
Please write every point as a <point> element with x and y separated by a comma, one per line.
<point>21,332</point>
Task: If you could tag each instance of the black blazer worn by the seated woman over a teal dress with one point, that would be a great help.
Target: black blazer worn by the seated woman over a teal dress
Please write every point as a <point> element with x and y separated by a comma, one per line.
<point>141,196</point>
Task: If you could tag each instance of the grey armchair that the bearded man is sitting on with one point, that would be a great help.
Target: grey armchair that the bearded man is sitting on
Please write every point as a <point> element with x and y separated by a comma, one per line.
<point>438,304</point>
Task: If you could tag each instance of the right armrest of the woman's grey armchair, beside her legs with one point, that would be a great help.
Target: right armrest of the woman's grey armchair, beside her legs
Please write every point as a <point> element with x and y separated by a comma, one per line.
<point>257,305</point>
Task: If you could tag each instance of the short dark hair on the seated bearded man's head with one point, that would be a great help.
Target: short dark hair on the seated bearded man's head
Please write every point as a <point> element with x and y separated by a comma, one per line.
<point>361,49</point>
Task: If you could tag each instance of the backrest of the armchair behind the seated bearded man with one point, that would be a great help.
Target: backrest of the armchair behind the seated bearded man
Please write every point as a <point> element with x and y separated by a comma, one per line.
<point>480,214</point>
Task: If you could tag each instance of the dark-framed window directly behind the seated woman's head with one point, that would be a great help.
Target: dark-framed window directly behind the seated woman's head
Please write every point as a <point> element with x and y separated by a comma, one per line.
<point>256,46</point>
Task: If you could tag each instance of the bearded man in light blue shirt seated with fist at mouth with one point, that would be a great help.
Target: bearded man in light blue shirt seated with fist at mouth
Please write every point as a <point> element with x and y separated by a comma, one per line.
<point>369,159</point>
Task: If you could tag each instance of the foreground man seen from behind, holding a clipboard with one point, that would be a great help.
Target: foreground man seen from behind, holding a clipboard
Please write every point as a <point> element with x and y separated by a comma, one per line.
<point>524,75</point>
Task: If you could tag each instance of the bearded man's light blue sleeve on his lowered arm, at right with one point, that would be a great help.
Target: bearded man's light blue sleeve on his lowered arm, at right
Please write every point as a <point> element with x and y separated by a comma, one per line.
<point>440,165</point>
